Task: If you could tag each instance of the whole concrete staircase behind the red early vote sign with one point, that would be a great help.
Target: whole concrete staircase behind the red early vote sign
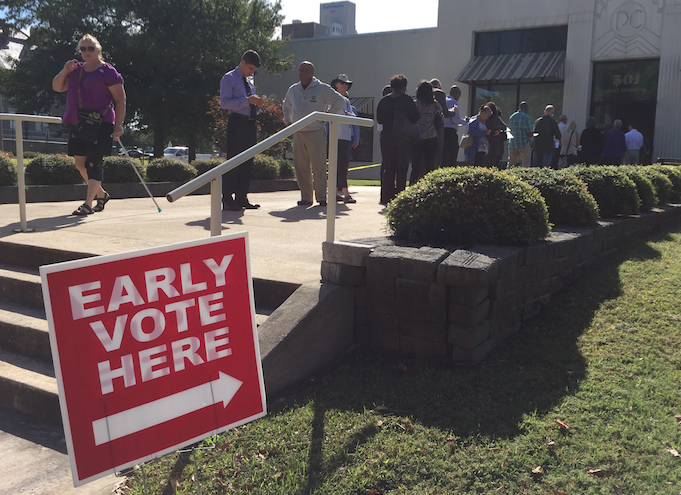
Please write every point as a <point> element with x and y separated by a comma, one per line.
<point>27,379</point>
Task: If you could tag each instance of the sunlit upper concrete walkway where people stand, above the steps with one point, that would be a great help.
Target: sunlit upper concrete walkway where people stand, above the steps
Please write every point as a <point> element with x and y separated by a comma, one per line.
<point>285,239</point>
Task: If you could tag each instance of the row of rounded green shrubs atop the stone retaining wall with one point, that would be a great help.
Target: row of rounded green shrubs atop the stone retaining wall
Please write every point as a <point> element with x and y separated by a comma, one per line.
<point>466,205</point>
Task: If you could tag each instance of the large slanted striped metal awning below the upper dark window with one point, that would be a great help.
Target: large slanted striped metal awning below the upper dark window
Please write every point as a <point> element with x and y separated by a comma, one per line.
<point>513,66</point>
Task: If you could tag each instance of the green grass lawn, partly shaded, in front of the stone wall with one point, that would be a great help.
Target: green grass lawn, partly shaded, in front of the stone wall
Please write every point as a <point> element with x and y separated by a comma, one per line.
<point>603,359</point>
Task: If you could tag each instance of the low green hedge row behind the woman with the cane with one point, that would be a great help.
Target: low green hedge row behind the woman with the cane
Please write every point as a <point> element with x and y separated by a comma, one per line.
<point>60,169</point>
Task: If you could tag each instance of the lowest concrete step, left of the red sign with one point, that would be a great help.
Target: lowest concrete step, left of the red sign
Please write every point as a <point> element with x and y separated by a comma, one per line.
<point>28,385</point>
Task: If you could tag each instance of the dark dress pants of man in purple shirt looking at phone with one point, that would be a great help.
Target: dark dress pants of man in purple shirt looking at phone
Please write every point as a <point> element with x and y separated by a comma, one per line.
<point>241,135</point>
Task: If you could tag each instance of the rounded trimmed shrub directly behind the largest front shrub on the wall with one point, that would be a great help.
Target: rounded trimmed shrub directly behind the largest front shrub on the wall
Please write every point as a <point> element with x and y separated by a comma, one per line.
<point>567,197</point>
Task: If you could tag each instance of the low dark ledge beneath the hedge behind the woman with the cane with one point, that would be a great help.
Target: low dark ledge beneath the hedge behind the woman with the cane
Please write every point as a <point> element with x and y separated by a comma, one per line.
<point>75,192</point>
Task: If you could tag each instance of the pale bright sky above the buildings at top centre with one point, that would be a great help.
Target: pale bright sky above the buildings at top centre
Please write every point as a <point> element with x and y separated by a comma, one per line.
<point>372,16</point>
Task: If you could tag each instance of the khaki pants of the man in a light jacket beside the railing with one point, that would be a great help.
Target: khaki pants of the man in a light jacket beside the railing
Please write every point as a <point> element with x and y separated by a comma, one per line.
<point>309,160</point>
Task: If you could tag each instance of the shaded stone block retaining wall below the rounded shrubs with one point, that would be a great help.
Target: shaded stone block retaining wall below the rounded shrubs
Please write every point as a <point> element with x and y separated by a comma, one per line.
<point>463,302</point>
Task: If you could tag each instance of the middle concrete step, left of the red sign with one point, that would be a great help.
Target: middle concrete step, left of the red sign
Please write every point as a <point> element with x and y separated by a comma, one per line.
<point>24,329</point>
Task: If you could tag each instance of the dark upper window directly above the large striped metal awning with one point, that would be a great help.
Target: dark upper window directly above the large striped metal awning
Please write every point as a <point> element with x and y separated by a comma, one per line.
<point>545,39</point>
